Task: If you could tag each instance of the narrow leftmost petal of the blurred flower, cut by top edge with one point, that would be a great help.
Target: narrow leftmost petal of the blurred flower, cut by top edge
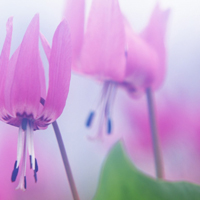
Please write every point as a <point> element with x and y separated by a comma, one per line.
<point>75,15</point>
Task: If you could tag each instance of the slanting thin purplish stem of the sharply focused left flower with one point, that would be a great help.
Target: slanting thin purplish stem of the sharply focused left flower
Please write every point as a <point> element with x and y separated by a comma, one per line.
<point>65,160</point>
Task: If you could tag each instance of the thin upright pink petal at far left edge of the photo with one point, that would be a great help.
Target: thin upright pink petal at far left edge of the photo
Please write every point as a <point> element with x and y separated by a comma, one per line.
<point>4,60</point>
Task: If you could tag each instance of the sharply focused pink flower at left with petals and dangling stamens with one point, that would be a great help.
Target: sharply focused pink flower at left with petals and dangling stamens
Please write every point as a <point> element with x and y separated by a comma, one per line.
<point>23,87</point>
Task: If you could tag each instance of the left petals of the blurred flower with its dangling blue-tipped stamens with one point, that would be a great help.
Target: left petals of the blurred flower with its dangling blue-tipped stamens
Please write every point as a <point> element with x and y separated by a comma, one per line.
<point>101,54</point>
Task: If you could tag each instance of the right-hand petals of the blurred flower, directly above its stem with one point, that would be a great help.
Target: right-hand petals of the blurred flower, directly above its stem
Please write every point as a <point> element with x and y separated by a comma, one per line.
<point>146,54</point>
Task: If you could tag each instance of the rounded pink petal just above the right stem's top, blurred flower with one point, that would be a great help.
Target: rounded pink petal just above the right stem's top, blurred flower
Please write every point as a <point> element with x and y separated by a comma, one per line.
<point>142,62</point>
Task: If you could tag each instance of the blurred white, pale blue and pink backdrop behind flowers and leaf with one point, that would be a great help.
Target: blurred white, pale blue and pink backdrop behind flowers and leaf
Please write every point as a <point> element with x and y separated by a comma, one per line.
<point>177,104</point>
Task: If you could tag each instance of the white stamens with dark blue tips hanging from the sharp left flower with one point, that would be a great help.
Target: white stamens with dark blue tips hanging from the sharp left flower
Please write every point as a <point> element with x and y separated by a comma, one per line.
<point>25,143</point>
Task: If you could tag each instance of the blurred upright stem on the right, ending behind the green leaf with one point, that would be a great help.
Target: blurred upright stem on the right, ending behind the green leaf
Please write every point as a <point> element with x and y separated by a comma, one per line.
<point>154,133</point>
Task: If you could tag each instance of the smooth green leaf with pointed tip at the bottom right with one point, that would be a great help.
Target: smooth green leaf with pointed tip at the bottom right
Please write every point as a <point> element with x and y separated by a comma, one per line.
<point>120,180</point>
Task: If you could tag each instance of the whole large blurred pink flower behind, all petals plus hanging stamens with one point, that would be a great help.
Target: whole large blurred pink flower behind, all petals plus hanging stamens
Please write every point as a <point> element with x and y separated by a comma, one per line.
<point>112,53</point>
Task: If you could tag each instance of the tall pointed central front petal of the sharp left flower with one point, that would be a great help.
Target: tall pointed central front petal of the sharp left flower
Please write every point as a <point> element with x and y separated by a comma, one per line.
<point>25,90</point>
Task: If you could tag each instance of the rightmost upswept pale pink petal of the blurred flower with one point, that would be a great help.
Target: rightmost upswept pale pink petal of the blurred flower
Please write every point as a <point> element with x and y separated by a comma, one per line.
<point>154,35</point>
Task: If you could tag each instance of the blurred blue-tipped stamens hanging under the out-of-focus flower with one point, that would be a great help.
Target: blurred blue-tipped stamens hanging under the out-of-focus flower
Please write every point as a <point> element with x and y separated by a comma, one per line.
<point>106,104</point>
